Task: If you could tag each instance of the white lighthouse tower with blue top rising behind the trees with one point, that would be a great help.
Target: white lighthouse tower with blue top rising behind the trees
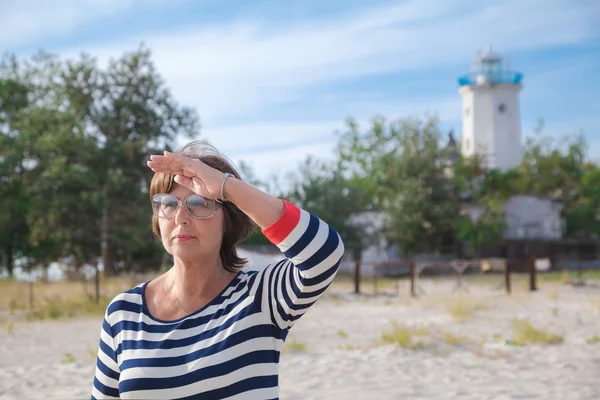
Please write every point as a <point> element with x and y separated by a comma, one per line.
<point>491,120</point>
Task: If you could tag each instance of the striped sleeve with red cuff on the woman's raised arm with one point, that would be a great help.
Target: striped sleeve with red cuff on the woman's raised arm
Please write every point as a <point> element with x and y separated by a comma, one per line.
<point>313,251</point>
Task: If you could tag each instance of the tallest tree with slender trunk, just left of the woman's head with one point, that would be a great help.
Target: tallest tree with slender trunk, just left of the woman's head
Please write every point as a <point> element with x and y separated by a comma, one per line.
<point>130,114</point>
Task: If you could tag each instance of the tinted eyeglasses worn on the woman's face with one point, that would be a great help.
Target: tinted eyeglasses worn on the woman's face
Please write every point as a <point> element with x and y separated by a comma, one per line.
<point>166,206</point>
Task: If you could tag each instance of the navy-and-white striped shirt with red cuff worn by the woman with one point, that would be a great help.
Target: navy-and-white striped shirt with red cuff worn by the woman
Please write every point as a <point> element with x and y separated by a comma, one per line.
<point>229,348</point>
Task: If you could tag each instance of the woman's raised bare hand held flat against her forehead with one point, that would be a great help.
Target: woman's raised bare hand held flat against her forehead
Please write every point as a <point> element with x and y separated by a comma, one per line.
<point>191,173</point>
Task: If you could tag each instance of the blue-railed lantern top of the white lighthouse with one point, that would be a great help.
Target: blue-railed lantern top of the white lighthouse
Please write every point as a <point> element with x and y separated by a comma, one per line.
<point>490,68</point>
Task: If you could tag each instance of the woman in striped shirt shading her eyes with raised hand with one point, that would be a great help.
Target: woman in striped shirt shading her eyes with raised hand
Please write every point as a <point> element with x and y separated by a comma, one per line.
<point>206,328</point>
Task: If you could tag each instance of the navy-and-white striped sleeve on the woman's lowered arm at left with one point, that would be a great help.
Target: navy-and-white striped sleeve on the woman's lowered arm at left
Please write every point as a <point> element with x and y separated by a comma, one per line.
<point>106,378</point>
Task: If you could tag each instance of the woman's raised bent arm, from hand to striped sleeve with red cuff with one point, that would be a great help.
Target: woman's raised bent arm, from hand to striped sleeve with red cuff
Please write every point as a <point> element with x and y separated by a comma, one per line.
<point>312,248</point>
